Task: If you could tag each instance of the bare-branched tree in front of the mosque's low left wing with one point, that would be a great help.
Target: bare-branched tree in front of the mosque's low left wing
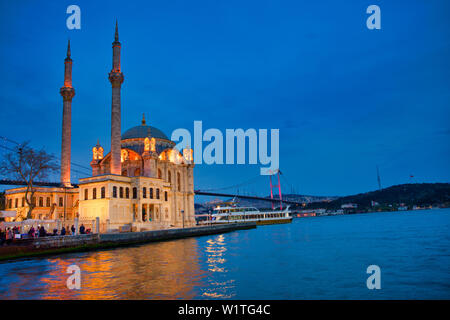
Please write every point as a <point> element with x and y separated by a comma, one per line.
<point>28,165</point>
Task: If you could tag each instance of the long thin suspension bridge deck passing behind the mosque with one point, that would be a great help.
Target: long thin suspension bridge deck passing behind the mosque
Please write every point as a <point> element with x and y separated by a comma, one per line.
<point>197,192</point>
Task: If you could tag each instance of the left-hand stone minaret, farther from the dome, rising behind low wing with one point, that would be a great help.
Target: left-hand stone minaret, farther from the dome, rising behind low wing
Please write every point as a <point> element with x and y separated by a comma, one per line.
<point>67,92</point>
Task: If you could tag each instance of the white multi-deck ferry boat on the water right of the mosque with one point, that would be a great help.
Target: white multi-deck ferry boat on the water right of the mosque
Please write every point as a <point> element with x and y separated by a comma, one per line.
<point>230,214</point>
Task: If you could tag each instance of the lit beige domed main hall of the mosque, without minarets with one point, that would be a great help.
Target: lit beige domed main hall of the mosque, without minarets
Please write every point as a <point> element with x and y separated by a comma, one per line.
<point>155,190</point>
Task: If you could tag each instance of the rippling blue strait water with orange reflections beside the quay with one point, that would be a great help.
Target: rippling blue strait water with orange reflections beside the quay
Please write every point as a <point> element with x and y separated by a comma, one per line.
<point>312,258</point>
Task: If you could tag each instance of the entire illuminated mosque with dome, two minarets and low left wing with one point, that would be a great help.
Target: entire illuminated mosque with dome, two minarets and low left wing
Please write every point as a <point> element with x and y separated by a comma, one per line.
<point>143,182</point>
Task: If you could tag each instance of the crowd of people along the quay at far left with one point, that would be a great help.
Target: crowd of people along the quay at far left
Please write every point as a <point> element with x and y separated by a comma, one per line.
<point>8,235</point>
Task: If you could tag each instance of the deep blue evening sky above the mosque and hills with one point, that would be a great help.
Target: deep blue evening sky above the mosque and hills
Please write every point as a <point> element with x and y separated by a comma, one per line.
<point>345,98</point>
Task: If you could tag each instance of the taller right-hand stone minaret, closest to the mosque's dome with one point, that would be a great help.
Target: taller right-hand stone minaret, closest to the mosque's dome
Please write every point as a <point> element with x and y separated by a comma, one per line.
<point>116,79</point>
